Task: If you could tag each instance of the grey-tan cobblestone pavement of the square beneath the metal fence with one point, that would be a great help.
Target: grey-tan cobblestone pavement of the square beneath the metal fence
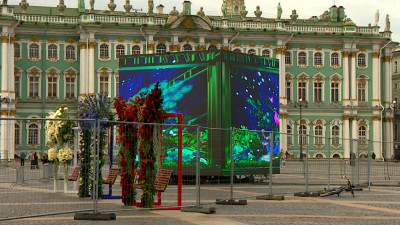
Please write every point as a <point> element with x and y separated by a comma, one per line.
<point>379,205</point>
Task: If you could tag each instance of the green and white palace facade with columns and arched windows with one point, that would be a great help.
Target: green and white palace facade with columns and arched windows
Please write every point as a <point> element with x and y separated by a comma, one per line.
<point>335,76</point>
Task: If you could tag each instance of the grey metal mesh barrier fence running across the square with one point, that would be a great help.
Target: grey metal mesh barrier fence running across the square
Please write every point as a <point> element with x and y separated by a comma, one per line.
<point>228,164</point>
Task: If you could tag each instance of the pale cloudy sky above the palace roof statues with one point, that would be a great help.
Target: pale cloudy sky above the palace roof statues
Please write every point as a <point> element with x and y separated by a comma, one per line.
<point>362,12</point>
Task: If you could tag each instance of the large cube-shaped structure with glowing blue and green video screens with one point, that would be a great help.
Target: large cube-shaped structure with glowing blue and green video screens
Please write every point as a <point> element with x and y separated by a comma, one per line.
<point>217,90</point>
